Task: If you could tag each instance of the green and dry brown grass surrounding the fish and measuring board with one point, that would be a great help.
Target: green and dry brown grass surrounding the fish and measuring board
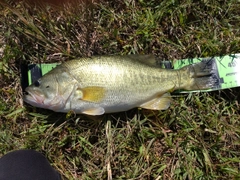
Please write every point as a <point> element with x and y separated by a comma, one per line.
<point>196,138</point>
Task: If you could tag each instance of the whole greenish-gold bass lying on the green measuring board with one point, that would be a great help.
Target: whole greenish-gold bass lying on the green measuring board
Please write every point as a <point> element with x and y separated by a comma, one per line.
<point>114,83</point>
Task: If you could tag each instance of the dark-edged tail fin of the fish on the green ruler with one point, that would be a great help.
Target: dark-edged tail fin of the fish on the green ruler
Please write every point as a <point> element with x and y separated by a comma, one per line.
<point>203,75</point>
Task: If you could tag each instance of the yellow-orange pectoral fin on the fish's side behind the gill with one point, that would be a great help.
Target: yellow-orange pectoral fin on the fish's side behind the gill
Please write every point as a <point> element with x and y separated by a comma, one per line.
<point>91,93</point>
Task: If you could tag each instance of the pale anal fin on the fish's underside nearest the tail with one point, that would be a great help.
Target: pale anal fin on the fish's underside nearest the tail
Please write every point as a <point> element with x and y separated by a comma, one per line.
<point>158,103</point>
